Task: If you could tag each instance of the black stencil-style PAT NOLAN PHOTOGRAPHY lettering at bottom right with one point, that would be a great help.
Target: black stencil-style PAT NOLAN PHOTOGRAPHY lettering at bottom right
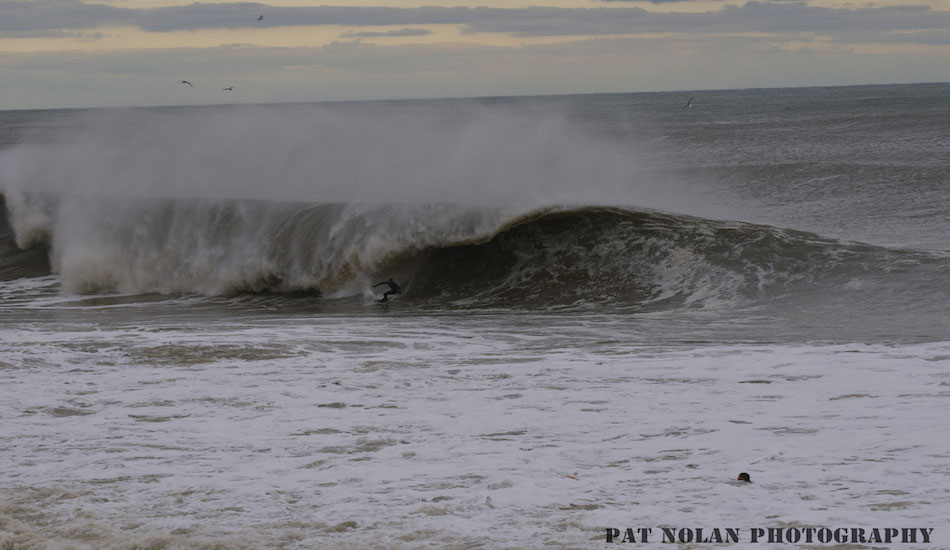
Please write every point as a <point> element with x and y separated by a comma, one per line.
<point>771,535</point>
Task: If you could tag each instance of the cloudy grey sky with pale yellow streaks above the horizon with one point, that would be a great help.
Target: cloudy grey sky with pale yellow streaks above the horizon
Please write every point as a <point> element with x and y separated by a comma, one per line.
<point>76,53</point>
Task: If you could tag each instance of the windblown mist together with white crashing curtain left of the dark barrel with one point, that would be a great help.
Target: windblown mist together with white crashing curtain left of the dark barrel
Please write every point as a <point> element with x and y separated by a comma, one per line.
<point>295,197</point>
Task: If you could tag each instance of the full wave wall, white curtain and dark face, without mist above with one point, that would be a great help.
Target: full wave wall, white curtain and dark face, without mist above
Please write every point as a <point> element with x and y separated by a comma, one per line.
<point>445,255</point>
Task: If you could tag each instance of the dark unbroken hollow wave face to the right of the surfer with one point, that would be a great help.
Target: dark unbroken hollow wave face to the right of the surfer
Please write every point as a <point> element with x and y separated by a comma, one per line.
<point>650,261</point>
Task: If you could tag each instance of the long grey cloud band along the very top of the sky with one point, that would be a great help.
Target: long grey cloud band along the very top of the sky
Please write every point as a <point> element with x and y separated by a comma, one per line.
<point>754,16</point>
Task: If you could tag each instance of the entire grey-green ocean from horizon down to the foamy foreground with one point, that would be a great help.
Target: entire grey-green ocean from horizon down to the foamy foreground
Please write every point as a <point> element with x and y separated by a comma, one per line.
<point>612,304</point>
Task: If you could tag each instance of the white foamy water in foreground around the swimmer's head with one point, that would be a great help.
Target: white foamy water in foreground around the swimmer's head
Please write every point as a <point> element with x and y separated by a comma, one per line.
<point>454,432</point>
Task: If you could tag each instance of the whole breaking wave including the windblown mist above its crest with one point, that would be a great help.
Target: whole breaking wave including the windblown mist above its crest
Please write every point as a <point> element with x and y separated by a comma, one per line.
<point>464,205</point>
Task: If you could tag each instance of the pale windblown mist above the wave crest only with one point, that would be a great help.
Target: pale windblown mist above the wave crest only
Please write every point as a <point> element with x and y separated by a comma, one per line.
<point>468,155</point>
